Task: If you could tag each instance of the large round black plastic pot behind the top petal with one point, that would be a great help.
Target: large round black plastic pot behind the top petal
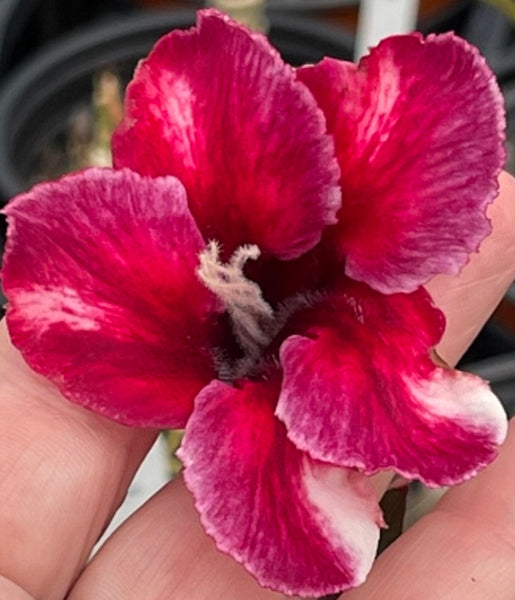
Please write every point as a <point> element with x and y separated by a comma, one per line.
<point>38,99</point>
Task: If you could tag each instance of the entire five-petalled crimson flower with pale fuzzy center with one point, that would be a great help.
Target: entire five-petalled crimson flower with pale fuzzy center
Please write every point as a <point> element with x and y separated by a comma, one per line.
<point>251,270</point>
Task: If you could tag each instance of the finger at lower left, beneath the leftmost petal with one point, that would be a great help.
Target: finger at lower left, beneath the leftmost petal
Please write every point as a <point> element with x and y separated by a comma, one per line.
<point>63,472</point>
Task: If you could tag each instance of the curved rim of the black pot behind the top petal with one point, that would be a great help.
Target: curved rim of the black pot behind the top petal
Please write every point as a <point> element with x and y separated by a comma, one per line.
<point>72,55</point>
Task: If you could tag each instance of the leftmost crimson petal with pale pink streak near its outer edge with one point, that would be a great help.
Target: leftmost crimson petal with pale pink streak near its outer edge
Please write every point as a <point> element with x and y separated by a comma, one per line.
<point>103,297</point>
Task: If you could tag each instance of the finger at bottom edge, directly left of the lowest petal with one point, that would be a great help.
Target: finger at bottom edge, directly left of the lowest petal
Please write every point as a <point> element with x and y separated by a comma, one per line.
<point>163,552</point>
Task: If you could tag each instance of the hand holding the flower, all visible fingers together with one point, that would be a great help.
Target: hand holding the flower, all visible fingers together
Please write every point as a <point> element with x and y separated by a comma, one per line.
<point>64,471</point>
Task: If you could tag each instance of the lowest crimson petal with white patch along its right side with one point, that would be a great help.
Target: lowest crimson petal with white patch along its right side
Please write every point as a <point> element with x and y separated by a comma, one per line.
<point>299,526</point>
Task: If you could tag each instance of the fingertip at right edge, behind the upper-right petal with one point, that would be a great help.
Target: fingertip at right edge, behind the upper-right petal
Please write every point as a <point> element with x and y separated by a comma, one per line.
<point>483,282</point>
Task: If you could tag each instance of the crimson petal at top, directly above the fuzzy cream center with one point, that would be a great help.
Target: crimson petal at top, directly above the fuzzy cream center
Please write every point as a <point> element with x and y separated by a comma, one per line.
<point>217,107</point>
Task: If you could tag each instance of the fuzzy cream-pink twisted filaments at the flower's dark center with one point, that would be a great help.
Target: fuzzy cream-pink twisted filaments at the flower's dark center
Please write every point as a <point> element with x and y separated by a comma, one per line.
<point>252,318</point>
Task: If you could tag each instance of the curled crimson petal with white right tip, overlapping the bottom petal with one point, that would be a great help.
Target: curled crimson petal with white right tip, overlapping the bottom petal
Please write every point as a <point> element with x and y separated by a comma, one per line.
<point>359,390</point>
